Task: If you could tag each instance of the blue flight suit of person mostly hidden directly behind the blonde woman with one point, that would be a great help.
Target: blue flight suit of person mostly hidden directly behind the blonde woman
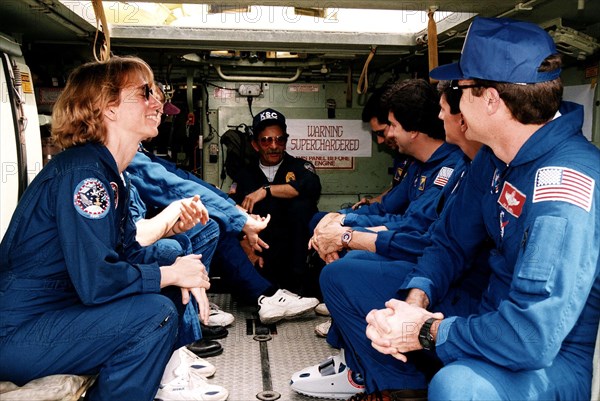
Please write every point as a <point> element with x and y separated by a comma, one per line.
<point>199,240</point>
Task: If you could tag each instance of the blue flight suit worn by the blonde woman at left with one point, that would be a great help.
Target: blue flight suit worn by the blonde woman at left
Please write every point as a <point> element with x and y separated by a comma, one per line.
<point>74,295</point>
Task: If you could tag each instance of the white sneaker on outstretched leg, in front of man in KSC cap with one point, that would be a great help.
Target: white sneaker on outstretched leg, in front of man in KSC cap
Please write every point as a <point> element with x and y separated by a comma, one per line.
<point>283,305</point>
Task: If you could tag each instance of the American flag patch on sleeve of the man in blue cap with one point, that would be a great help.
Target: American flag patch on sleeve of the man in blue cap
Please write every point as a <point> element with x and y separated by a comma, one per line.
<point>563,184</point>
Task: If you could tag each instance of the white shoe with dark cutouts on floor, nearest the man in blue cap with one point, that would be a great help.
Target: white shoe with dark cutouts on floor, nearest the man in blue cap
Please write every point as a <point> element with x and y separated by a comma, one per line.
<point>331,379</point>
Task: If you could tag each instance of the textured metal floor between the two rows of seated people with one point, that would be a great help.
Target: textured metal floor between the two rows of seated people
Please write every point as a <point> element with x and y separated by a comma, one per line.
<point>293,346</point>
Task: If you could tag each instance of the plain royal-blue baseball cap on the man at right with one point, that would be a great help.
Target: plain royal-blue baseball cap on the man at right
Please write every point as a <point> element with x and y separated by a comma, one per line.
<point>502,50</point>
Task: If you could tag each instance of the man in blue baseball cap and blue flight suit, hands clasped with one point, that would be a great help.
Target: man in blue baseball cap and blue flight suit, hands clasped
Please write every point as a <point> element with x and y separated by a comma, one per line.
<point>531,192</point>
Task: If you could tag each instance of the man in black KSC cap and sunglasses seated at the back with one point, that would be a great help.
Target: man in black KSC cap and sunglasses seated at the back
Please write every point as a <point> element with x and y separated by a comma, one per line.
<point>288,189</point>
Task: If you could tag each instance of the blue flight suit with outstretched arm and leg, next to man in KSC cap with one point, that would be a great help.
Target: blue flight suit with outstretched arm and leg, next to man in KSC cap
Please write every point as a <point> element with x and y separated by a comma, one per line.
<point>159,183</point>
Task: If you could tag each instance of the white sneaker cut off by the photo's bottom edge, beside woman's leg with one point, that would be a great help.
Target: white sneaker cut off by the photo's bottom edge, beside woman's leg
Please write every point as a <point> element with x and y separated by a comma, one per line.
<point>185,390</point>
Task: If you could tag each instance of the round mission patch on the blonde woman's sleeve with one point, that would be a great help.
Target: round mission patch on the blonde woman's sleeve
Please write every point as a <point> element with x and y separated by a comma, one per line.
<point>91,199</point>
